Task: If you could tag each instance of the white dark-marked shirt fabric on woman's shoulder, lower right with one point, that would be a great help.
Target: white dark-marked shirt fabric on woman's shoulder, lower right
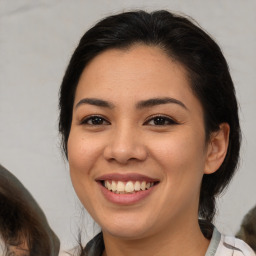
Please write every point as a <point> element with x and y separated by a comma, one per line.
<point>230,245</point>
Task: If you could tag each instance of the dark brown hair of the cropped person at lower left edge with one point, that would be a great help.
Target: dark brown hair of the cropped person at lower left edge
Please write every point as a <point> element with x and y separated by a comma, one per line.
<point>22,222</point>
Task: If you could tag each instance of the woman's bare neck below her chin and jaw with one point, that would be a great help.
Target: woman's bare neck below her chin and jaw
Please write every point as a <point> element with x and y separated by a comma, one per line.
<point>178,239</point>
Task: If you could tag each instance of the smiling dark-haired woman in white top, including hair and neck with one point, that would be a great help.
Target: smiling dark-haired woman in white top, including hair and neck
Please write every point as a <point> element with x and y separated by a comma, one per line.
<point>148,117</point>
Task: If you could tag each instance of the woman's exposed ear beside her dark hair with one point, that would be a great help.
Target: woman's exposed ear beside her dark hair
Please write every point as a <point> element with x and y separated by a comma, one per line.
<point>217,148</point>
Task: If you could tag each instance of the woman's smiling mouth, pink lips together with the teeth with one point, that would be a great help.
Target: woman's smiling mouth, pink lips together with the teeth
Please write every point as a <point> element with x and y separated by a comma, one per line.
<point>126,189</point>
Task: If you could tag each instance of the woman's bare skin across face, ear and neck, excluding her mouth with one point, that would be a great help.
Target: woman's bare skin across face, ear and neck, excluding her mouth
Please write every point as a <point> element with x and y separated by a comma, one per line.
<point>130,140</point>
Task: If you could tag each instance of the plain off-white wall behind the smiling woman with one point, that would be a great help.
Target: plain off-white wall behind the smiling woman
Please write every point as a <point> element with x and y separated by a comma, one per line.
<point>37,39</point>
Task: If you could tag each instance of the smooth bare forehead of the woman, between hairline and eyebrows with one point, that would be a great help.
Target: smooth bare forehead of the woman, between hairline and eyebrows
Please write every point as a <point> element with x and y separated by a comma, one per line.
<point>138,72</point>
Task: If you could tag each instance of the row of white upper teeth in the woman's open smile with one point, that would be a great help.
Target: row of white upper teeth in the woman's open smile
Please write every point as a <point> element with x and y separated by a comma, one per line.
<point>120,187</point>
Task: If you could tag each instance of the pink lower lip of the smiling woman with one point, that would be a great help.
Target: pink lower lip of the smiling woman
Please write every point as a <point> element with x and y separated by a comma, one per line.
<point>125,199</point>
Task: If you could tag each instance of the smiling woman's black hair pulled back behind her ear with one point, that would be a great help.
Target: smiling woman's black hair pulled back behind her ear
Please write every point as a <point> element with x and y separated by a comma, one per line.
<point>208,74</point>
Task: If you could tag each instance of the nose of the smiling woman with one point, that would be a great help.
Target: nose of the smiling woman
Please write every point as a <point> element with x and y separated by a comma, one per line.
<point>125,145</point>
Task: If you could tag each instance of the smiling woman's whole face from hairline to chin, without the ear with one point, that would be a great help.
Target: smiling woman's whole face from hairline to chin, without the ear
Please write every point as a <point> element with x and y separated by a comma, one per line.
<point>136,148</point>
